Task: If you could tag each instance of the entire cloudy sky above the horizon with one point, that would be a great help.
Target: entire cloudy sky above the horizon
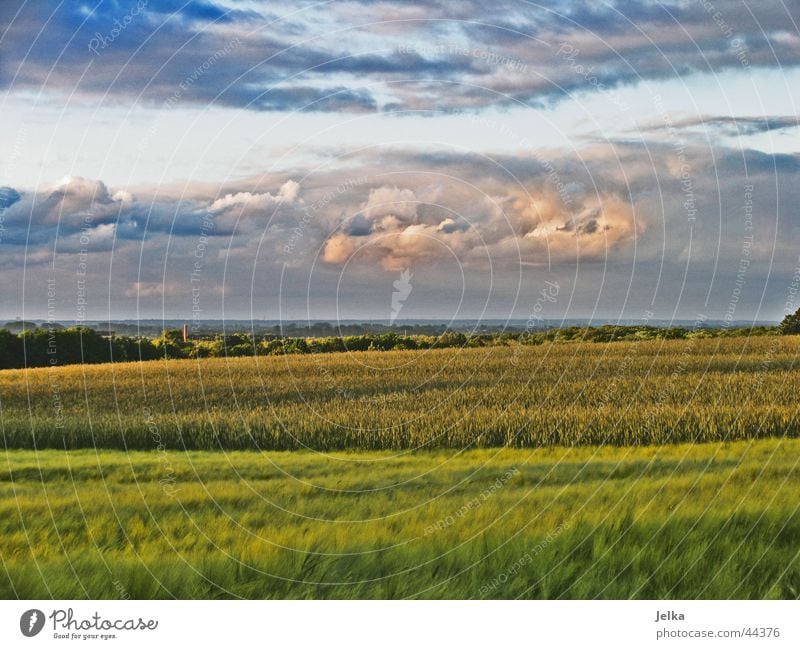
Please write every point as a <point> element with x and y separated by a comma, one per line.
<point>493,160</point>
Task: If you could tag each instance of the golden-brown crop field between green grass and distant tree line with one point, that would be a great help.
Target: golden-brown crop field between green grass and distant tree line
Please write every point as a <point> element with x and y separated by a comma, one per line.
<point>651,392</point>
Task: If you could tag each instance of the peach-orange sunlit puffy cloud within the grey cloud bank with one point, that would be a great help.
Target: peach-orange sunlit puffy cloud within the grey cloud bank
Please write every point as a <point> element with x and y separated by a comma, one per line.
<point>532,223</point>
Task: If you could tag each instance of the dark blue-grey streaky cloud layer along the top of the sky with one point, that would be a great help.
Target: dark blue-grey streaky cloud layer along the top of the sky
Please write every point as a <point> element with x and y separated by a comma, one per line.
<point>363,56</point>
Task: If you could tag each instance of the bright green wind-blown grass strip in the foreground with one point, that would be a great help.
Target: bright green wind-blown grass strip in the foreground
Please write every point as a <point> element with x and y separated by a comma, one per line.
<point>715,520</point>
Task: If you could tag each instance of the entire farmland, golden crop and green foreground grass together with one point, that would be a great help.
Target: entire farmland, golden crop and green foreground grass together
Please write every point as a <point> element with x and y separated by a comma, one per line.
<point>647,470</point>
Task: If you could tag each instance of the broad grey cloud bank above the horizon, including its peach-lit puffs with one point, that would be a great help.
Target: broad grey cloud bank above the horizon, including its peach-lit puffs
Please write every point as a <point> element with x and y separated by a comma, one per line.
<point>616,211</point>
